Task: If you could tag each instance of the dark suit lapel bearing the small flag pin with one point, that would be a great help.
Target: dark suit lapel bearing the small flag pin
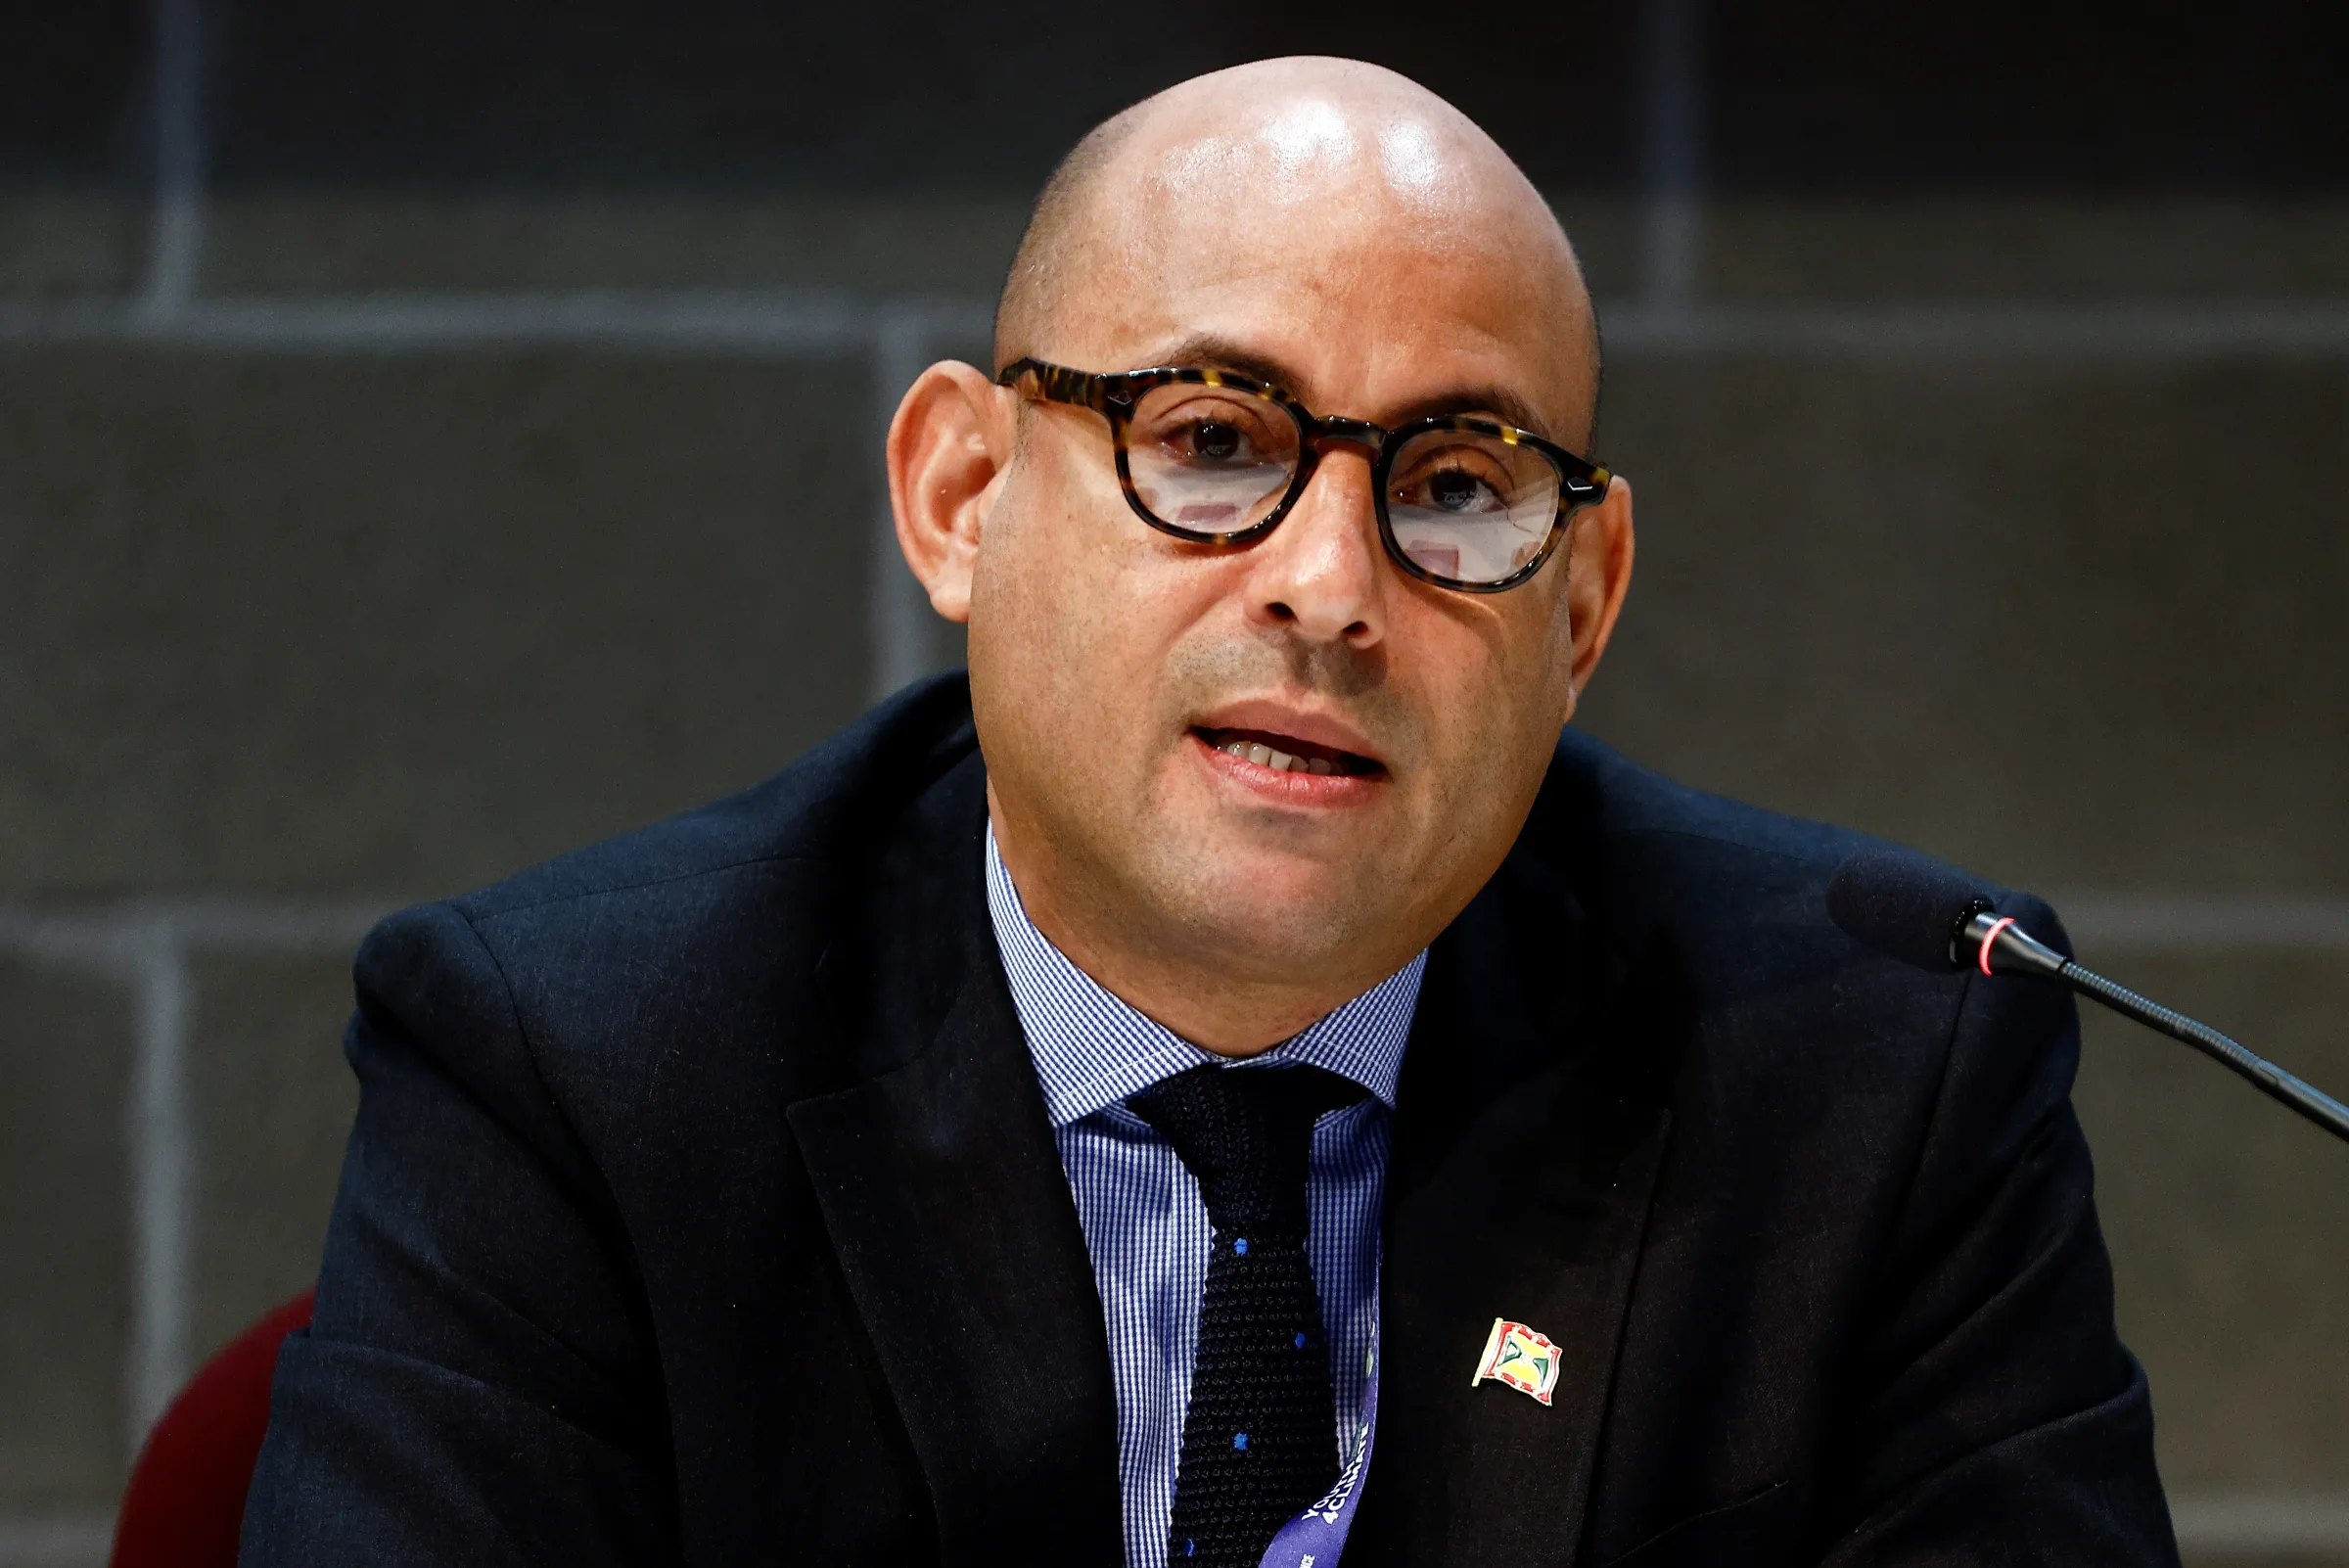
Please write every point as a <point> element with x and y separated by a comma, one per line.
<point>1521,1182</point>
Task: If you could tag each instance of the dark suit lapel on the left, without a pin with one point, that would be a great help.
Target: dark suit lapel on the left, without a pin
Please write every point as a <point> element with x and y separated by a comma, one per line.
<point>955,1229</point>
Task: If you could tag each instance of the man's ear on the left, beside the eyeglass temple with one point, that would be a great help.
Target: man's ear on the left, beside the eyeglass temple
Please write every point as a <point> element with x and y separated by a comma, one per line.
<point>948,452</point>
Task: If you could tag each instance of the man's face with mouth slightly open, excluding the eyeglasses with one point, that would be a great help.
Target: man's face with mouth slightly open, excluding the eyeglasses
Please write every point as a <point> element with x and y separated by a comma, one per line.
<point>1117,668</point>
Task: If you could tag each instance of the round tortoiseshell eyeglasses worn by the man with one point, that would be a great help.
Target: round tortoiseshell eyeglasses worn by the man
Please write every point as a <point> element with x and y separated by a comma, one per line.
<point>1220,459</point>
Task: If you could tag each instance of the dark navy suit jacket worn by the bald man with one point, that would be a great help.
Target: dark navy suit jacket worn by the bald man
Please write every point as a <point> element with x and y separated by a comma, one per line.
<point>701,1210</point>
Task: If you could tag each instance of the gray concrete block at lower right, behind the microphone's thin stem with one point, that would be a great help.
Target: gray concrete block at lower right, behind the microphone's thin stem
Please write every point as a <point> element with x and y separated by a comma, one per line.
<point>2226,1219</point>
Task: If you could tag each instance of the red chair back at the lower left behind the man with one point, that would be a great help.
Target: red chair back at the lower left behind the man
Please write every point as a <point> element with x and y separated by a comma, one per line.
<point>187,1499</point>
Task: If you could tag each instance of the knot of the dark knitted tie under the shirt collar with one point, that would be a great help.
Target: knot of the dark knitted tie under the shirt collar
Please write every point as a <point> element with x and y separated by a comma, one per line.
<point>1248,1137</point>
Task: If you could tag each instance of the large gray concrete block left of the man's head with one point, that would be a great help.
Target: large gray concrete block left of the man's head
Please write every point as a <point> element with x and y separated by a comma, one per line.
<point>396,626</point>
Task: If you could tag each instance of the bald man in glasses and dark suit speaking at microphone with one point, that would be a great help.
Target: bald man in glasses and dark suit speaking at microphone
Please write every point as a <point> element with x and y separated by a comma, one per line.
<point>1232,1081</point>
